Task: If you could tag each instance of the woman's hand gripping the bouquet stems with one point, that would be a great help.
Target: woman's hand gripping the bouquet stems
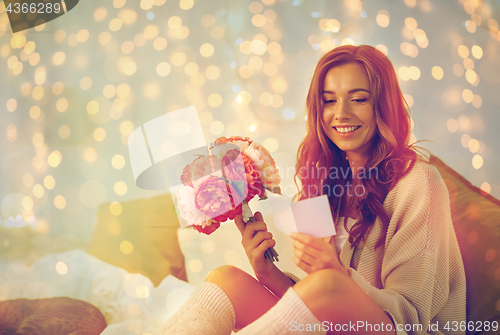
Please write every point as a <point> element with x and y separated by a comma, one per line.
<point>256,240</point>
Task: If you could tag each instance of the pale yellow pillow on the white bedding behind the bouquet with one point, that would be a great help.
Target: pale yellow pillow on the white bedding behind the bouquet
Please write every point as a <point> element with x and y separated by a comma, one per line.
<point>140,236</point>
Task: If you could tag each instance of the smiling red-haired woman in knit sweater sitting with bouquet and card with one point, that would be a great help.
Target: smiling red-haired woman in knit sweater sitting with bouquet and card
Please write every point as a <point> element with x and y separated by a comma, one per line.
<point>400,268</point>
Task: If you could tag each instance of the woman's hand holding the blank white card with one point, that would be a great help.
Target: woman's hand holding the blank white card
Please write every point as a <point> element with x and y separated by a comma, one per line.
<point>313,254</point>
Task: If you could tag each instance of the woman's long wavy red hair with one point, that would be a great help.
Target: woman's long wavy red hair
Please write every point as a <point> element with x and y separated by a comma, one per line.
<point>391,155</point>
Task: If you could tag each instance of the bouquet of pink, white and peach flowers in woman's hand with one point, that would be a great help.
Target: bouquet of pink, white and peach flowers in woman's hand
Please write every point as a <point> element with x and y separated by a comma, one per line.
<point>219,186</point>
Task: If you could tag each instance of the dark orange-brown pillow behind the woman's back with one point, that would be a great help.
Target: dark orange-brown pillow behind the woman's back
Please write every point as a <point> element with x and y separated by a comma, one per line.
<point>476,219</point>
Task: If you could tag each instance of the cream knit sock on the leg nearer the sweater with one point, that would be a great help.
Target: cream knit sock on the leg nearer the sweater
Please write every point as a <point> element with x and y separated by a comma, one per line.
<point>290,316</point>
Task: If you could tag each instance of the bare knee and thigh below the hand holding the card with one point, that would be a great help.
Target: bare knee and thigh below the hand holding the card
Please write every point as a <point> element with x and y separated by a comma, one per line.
<point>334,297</point>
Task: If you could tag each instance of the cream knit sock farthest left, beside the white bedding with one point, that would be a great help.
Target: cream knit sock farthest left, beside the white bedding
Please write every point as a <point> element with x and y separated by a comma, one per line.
<point>208,311</point>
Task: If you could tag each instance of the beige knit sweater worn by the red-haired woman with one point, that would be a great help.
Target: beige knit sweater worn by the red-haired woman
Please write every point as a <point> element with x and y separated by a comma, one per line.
<point>417,277</point>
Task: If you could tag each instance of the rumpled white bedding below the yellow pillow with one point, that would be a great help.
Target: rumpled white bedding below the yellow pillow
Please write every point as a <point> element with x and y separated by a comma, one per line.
<point>129,302</point>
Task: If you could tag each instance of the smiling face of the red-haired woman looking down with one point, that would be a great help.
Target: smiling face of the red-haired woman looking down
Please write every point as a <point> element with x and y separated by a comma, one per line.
<point>348,117</point>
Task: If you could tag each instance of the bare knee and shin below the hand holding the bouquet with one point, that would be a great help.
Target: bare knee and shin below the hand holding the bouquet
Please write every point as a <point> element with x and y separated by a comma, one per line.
<point>250,299</point>
